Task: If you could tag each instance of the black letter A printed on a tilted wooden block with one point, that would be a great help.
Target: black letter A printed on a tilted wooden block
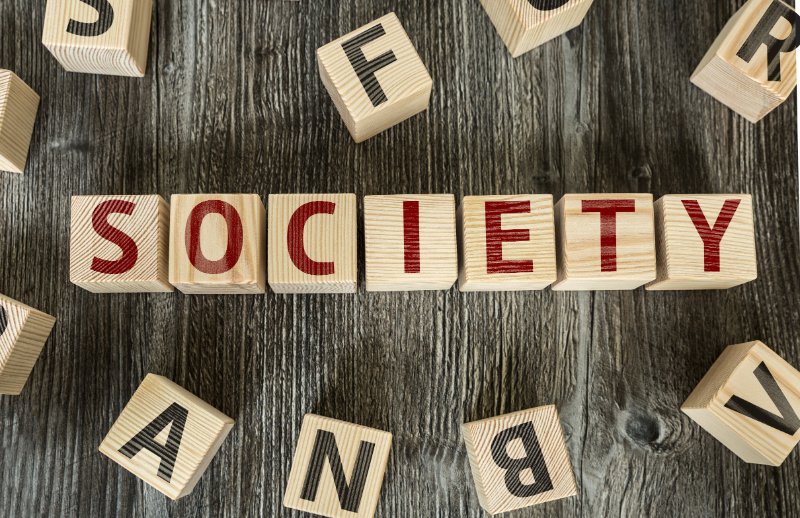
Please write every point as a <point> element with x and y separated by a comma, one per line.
<point>168,452</point>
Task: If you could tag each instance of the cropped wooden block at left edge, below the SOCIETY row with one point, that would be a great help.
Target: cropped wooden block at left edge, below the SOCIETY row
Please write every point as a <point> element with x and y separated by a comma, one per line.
<point>23,332</point>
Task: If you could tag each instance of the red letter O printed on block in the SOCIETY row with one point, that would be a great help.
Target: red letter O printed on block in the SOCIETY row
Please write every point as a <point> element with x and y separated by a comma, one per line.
<point>235,236</point>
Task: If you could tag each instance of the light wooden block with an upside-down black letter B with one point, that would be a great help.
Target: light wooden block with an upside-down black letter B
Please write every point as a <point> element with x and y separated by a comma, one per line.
<point>519,460</point>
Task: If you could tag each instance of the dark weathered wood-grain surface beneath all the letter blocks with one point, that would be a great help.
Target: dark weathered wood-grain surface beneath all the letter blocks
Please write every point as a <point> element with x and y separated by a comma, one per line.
<point>232,102</point>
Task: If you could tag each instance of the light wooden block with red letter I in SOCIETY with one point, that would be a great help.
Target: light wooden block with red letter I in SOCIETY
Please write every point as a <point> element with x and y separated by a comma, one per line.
<point>410,242</point>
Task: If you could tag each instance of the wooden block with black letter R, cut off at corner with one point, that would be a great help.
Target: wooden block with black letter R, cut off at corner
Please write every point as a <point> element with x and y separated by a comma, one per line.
<point>751,67</point>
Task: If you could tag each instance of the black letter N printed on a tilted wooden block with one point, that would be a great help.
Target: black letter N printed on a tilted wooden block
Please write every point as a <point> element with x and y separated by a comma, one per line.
<point>349,494</point>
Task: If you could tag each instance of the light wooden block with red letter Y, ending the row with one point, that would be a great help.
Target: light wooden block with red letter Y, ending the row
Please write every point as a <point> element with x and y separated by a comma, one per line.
<point>705,242</point>
